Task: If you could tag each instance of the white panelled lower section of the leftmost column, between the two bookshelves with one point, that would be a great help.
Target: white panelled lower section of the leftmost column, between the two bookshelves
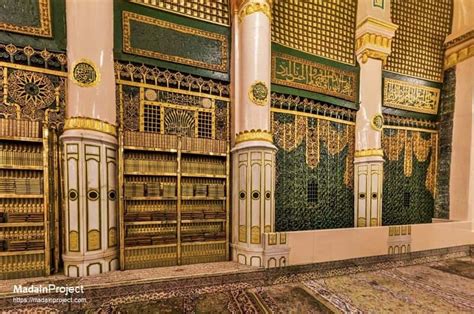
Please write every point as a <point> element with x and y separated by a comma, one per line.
<point>90,202</point>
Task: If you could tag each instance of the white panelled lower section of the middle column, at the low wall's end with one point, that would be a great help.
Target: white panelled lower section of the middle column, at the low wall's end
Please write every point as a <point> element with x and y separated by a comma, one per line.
<point>254,241</point>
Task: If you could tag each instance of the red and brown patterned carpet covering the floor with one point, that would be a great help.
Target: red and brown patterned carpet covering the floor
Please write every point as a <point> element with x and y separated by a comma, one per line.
<point>439,286</point>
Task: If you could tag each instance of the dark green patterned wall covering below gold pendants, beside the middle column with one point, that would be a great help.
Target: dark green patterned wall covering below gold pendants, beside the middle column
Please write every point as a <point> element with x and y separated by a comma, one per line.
<point>331,204</point>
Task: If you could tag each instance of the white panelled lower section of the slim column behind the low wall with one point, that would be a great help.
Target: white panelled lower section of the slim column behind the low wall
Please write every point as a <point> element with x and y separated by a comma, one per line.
<point>368,180</point>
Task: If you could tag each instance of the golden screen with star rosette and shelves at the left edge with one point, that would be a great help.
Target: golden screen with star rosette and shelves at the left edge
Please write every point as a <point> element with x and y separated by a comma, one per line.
<point>31,115</point>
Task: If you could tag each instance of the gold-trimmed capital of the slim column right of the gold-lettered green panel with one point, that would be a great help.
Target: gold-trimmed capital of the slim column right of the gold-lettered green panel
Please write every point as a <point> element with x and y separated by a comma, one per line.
<point>374,39</point>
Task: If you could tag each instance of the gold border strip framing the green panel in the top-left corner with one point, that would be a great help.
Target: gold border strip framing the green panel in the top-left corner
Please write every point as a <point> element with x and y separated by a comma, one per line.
<point>44,29</point>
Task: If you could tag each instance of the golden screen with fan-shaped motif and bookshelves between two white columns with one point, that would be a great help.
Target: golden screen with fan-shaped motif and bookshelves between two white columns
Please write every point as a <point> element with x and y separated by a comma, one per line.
<point>174,168</point>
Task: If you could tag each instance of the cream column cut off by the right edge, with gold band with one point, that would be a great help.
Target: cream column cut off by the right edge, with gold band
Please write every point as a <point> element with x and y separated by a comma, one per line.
<point>460,55</point>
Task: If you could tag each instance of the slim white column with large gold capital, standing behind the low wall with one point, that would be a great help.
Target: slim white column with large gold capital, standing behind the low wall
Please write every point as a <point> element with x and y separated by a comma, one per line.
<point>373,42</point>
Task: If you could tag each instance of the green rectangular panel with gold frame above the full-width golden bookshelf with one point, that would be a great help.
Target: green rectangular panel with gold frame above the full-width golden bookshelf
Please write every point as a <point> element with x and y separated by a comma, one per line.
<point>169,42</point>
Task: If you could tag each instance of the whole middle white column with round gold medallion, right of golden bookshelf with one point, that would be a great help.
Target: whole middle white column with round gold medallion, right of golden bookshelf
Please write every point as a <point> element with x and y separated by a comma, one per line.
<point>254,241</point>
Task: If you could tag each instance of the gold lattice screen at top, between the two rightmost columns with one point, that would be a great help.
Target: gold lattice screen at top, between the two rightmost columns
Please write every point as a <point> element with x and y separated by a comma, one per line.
<point>418,45</point>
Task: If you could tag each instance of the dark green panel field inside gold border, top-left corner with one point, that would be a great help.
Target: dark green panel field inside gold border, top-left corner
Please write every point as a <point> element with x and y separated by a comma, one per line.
<point>20,12</point>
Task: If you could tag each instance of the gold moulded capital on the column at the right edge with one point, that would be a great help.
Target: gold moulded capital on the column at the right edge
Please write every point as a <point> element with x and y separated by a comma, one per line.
<point>459,49</point>
